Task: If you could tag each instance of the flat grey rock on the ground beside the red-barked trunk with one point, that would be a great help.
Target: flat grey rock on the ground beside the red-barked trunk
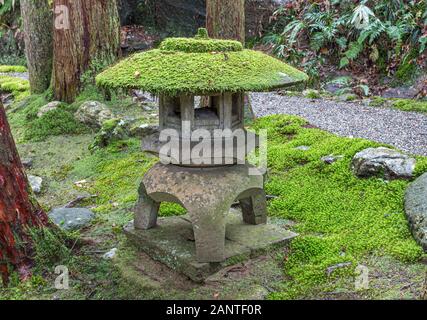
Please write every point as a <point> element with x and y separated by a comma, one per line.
<point>71,218</point>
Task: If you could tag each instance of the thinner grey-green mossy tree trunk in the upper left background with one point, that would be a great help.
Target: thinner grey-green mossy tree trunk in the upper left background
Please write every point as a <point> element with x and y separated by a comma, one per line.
<point>38,29</point>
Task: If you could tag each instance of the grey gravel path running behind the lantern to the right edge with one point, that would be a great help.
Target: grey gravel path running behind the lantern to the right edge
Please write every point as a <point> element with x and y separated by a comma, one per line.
<point>404,130</point>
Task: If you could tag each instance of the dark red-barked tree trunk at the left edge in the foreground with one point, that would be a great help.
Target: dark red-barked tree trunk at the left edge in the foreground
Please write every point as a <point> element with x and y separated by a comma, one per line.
<point>18,208</point>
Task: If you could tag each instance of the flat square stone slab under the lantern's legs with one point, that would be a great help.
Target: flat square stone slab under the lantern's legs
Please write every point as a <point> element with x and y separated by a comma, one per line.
<point>172,243</point>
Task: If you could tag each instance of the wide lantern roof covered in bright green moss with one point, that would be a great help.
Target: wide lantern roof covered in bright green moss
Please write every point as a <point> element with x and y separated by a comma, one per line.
<point>199,66</point>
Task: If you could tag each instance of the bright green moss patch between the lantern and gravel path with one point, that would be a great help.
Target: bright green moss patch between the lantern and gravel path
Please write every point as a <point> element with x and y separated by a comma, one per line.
<point>340,218</point>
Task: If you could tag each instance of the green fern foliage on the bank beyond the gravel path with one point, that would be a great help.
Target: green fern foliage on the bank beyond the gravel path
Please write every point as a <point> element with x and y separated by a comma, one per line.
<point>388,34</point>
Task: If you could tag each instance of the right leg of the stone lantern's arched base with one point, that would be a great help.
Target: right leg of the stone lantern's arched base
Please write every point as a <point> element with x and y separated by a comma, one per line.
<point>254,208</point>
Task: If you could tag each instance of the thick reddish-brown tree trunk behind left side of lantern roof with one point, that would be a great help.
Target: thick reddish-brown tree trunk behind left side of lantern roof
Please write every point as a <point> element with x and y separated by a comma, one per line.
<point>86,34</point>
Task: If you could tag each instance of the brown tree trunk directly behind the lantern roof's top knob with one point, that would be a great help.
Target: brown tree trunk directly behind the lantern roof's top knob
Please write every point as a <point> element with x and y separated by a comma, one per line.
<point>225,19</point>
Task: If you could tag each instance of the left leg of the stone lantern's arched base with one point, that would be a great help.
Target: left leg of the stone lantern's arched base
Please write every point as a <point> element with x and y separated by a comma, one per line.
<point>146,210</point>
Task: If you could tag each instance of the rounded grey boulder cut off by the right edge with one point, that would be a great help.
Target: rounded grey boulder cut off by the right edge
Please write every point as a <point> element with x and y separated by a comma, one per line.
<point>416,209</point>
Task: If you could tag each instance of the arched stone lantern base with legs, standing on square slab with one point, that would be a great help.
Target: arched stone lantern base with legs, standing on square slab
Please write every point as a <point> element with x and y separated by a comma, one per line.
<point>207,194</point>
